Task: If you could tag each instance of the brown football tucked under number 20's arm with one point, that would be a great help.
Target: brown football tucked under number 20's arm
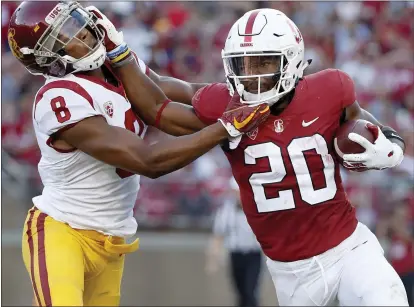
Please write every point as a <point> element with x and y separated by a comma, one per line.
<point>343,145</point>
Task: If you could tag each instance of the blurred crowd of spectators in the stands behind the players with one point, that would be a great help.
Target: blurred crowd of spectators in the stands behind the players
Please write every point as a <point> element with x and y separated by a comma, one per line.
<point>371,41</point>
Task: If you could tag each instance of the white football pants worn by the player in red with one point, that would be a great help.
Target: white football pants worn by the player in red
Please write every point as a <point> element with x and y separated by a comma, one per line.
<point>354,273</point>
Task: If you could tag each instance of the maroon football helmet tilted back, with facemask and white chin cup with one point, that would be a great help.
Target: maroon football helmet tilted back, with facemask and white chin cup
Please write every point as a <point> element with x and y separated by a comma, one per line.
<point>39,32</point>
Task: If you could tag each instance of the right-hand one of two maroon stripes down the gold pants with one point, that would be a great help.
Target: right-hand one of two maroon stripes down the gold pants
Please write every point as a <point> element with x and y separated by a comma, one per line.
<point>44,277</point>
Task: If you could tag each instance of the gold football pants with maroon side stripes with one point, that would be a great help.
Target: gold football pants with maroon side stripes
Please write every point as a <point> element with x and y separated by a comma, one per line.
<point>72,267</point>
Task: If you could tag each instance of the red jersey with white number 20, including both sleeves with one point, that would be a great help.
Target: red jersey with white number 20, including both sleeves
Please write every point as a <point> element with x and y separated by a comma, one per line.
<point>288,175</point>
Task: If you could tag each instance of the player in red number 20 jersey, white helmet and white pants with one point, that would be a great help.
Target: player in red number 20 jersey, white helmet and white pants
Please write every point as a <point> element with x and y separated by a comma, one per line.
<point>317,252</point>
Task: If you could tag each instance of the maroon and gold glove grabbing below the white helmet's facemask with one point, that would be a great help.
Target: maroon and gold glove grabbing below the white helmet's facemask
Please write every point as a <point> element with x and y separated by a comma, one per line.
<point>239,118</point>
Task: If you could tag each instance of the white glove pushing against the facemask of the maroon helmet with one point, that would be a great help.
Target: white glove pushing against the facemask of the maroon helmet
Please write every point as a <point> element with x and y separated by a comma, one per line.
<point>114,40</point>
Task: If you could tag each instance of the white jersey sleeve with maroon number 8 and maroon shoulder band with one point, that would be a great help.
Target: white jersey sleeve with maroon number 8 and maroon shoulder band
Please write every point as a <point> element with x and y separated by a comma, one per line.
<point>58,108</point>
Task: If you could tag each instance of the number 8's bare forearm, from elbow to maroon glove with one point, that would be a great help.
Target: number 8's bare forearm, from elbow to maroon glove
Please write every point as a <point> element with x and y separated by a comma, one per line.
<point>174,154</point>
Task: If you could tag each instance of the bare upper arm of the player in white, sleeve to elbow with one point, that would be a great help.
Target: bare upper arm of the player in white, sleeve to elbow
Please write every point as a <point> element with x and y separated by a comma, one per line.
<point>112,145</point>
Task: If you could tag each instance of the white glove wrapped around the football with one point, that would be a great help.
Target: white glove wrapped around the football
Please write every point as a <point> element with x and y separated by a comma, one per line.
<point>380,155</point>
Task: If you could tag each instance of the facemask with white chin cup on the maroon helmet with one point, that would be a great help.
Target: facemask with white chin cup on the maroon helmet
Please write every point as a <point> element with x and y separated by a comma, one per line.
<point>67,26</point>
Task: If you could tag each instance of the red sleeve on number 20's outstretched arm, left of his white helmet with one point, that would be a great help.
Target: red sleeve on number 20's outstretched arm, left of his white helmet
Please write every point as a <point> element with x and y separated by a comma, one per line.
<point>210,102</point>
